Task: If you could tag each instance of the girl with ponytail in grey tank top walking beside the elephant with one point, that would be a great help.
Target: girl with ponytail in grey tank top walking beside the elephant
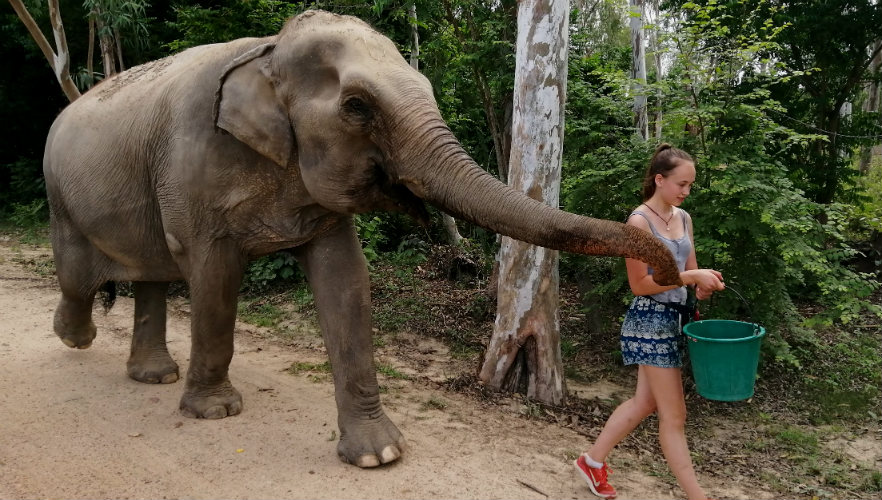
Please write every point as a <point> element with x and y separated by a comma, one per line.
<point>651,336</point>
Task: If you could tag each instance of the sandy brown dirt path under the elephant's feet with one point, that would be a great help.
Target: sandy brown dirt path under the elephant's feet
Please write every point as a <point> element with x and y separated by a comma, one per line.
<point>73,425</point>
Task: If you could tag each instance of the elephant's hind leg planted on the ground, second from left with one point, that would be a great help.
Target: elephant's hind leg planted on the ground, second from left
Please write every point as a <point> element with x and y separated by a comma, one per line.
<point>149,361</point>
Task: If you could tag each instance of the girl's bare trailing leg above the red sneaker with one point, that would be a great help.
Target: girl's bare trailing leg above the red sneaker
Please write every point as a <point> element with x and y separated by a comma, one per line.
<point>626,417</point>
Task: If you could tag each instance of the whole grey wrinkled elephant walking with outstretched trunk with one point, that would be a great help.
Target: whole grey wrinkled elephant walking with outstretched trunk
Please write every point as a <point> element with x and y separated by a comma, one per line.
<point>187,167</point>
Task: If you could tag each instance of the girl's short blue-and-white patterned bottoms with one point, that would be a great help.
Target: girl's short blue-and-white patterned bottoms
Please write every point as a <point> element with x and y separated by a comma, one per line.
<point>651,335</point>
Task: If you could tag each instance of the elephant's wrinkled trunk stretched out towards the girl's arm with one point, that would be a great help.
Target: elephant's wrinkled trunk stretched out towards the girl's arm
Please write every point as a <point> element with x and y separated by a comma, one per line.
<point>437,169</point>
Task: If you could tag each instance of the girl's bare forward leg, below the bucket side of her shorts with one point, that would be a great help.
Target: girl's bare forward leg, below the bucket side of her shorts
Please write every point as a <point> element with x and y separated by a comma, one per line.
<point>666,386</point>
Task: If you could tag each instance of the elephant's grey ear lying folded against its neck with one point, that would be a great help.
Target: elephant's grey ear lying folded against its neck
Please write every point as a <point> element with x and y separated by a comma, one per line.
<point>246,105</point>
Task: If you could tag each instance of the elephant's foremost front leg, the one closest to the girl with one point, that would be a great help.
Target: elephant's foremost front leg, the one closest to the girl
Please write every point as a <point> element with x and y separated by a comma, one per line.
<point>337,272</point>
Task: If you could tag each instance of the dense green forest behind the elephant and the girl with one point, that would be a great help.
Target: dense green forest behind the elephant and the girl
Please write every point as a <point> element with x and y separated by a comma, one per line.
<point>778,101</point>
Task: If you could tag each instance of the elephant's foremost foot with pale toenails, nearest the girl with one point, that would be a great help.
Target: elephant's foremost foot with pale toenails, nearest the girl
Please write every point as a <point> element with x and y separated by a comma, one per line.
<point>370,443</point>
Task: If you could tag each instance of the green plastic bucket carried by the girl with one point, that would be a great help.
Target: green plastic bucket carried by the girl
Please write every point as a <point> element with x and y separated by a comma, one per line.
<point>724,356</point>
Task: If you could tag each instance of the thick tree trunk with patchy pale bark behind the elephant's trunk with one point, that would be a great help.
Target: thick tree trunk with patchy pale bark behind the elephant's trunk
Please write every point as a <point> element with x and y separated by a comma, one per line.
<point>524,351</point>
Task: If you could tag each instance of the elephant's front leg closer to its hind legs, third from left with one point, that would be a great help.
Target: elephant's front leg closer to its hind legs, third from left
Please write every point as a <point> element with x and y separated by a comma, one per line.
<point>214,274</point>
